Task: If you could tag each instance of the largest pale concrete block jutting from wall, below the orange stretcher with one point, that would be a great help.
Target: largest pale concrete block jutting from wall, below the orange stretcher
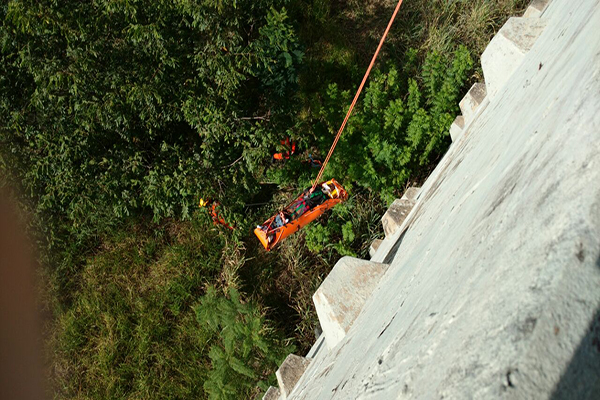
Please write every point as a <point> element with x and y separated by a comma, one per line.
<point>341,296</point>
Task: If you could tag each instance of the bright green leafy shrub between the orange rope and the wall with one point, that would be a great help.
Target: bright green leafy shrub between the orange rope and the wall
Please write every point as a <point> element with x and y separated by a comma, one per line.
<point>394,134</point>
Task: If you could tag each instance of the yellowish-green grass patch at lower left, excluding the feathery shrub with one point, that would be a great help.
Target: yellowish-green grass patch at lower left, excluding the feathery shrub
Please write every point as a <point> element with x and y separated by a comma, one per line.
<point>131,330</point>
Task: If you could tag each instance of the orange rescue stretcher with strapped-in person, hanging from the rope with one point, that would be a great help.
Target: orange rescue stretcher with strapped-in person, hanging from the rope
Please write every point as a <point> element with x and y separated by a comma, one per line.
<point>307,207</point>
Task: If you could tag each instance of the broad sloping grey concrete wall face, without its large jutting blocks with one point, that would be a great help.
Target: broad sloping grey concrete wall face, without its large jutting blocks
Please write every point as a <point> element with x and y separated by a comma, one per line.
<point>494,289</point>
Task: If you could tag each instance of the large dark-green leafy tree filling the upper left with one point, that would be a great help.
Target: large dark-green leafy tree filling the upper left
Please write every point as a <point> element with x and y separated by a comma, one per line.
<point>111,108</point>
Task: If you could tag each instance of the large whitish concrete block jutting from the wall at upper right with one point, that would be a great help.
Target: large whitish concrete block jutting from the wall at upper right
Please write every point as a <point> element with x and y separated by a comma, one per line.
<point>507,50</point>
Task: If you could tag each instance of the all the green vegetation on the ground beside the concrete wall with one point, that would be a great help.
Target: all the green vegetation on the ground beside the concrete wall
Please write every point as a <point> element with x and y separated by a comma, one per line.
<point>118,115</point>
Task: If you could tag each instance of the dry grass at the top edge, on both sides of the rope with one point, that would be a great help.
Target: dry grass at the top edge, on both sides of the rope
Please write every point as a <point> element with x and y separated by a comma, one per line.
<point>354,28</point>
